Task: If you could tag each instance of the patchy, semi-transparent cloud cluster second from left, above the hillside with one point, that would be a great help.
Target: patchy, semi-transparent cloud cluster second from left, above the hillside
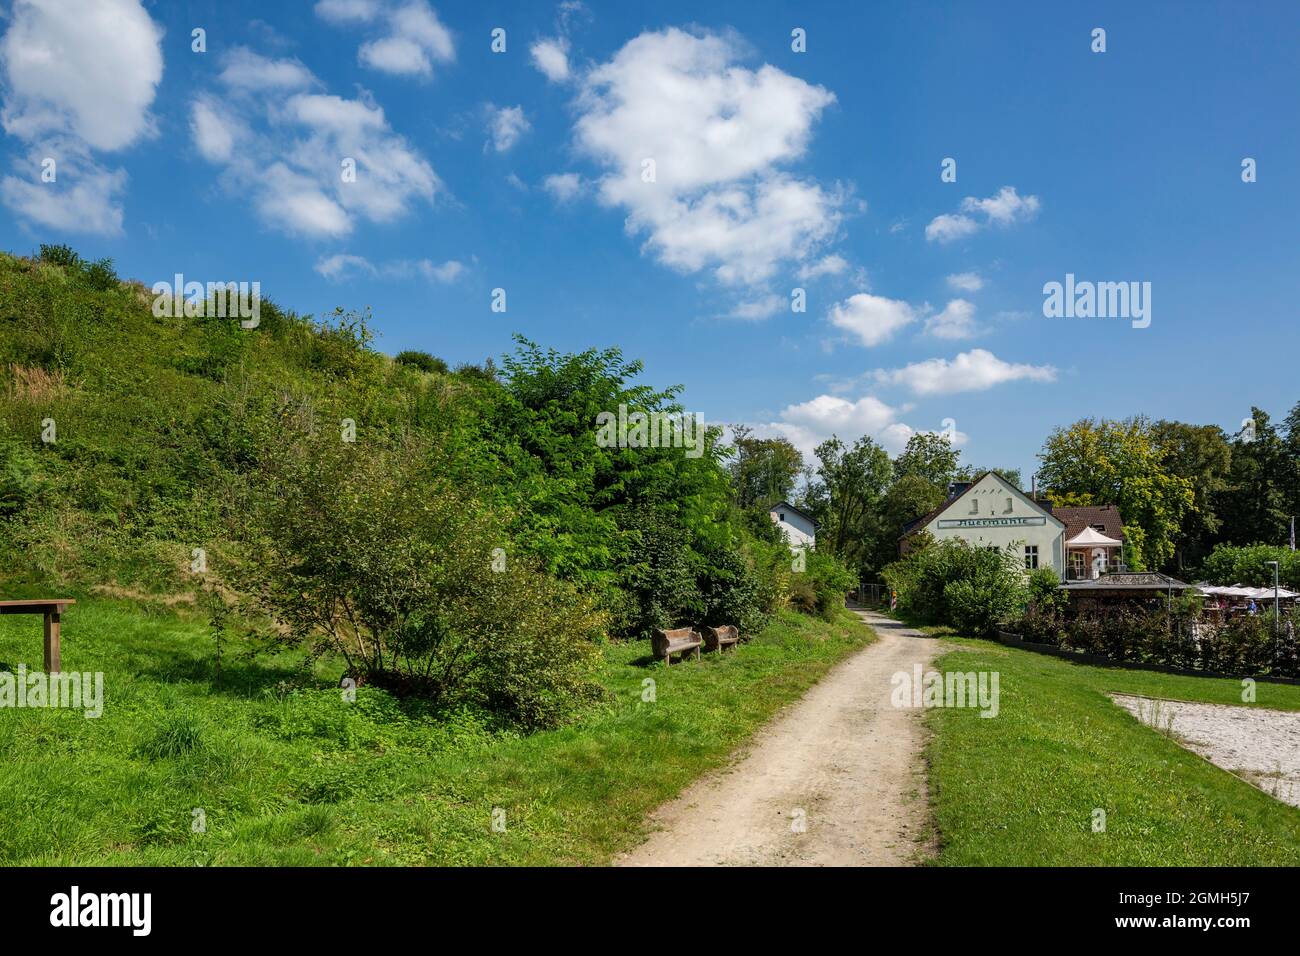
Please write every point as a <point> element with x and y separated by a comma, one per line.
<point>307,189</point>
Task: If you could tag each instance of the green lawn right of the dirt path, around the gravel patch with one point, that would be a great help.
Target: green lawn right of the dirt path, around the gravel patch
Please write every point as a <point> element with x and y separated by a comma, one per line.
<point>1020,790</point>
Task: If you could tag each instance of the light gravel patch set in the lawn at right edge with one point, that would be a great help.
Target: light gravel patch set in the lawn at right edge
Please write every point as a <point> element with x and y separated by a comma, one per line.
<point>1256,745</point>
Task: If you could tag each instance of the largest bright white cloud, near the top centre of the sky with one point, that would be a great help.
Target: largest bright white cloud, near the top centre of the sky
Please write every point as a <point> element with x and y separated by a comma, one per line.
<point>717,135</point>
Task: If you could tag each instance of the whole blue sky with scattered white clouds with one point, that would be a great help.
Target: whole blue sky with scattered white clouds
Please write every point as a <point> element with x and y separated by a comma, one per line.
<point>774,170</point>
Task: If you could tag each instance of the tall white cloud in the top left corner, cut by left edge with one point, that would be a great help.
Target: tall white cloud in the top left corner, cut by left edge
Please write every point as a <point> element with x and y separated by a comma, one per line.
<point>70,94</point>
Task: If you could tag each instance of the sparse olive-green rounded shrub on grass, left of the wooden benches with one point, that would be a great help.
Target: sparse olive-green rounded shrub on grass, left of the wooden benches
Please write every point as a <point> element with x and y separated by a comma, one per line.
<point>367,553</point>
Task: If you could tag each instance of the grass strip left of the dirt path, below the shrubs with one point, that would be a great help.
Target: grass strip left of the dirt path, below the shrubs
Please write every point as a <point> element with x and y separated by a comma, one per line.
<point>285,772</point>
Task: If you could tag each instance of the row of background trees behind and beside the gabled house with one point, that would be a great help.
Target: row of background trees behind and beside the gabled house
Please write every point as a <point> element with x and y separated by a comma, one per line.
<point>1182,490</point>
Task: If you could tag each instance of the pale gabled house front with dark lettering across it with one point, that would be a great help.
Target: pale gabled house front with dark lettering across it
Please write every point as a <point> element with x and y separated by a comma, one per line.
<point>994,513</point>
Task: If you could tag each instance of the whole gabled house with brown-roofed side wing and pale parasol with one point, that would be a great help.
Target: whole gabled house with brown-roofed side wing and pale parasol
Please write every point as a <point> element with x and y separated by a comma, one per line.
<point>1077,543</point>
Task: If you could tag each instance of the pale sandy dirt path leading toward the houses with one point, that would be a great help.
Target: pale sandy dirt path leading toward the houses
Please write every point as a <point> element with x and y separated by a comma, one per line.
<point>842,762</point>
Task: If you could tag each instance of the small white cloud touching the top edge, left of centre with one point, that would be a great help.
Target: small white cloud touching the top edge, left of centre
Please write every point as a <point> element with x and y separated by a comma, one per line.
<point>408,38</point>
